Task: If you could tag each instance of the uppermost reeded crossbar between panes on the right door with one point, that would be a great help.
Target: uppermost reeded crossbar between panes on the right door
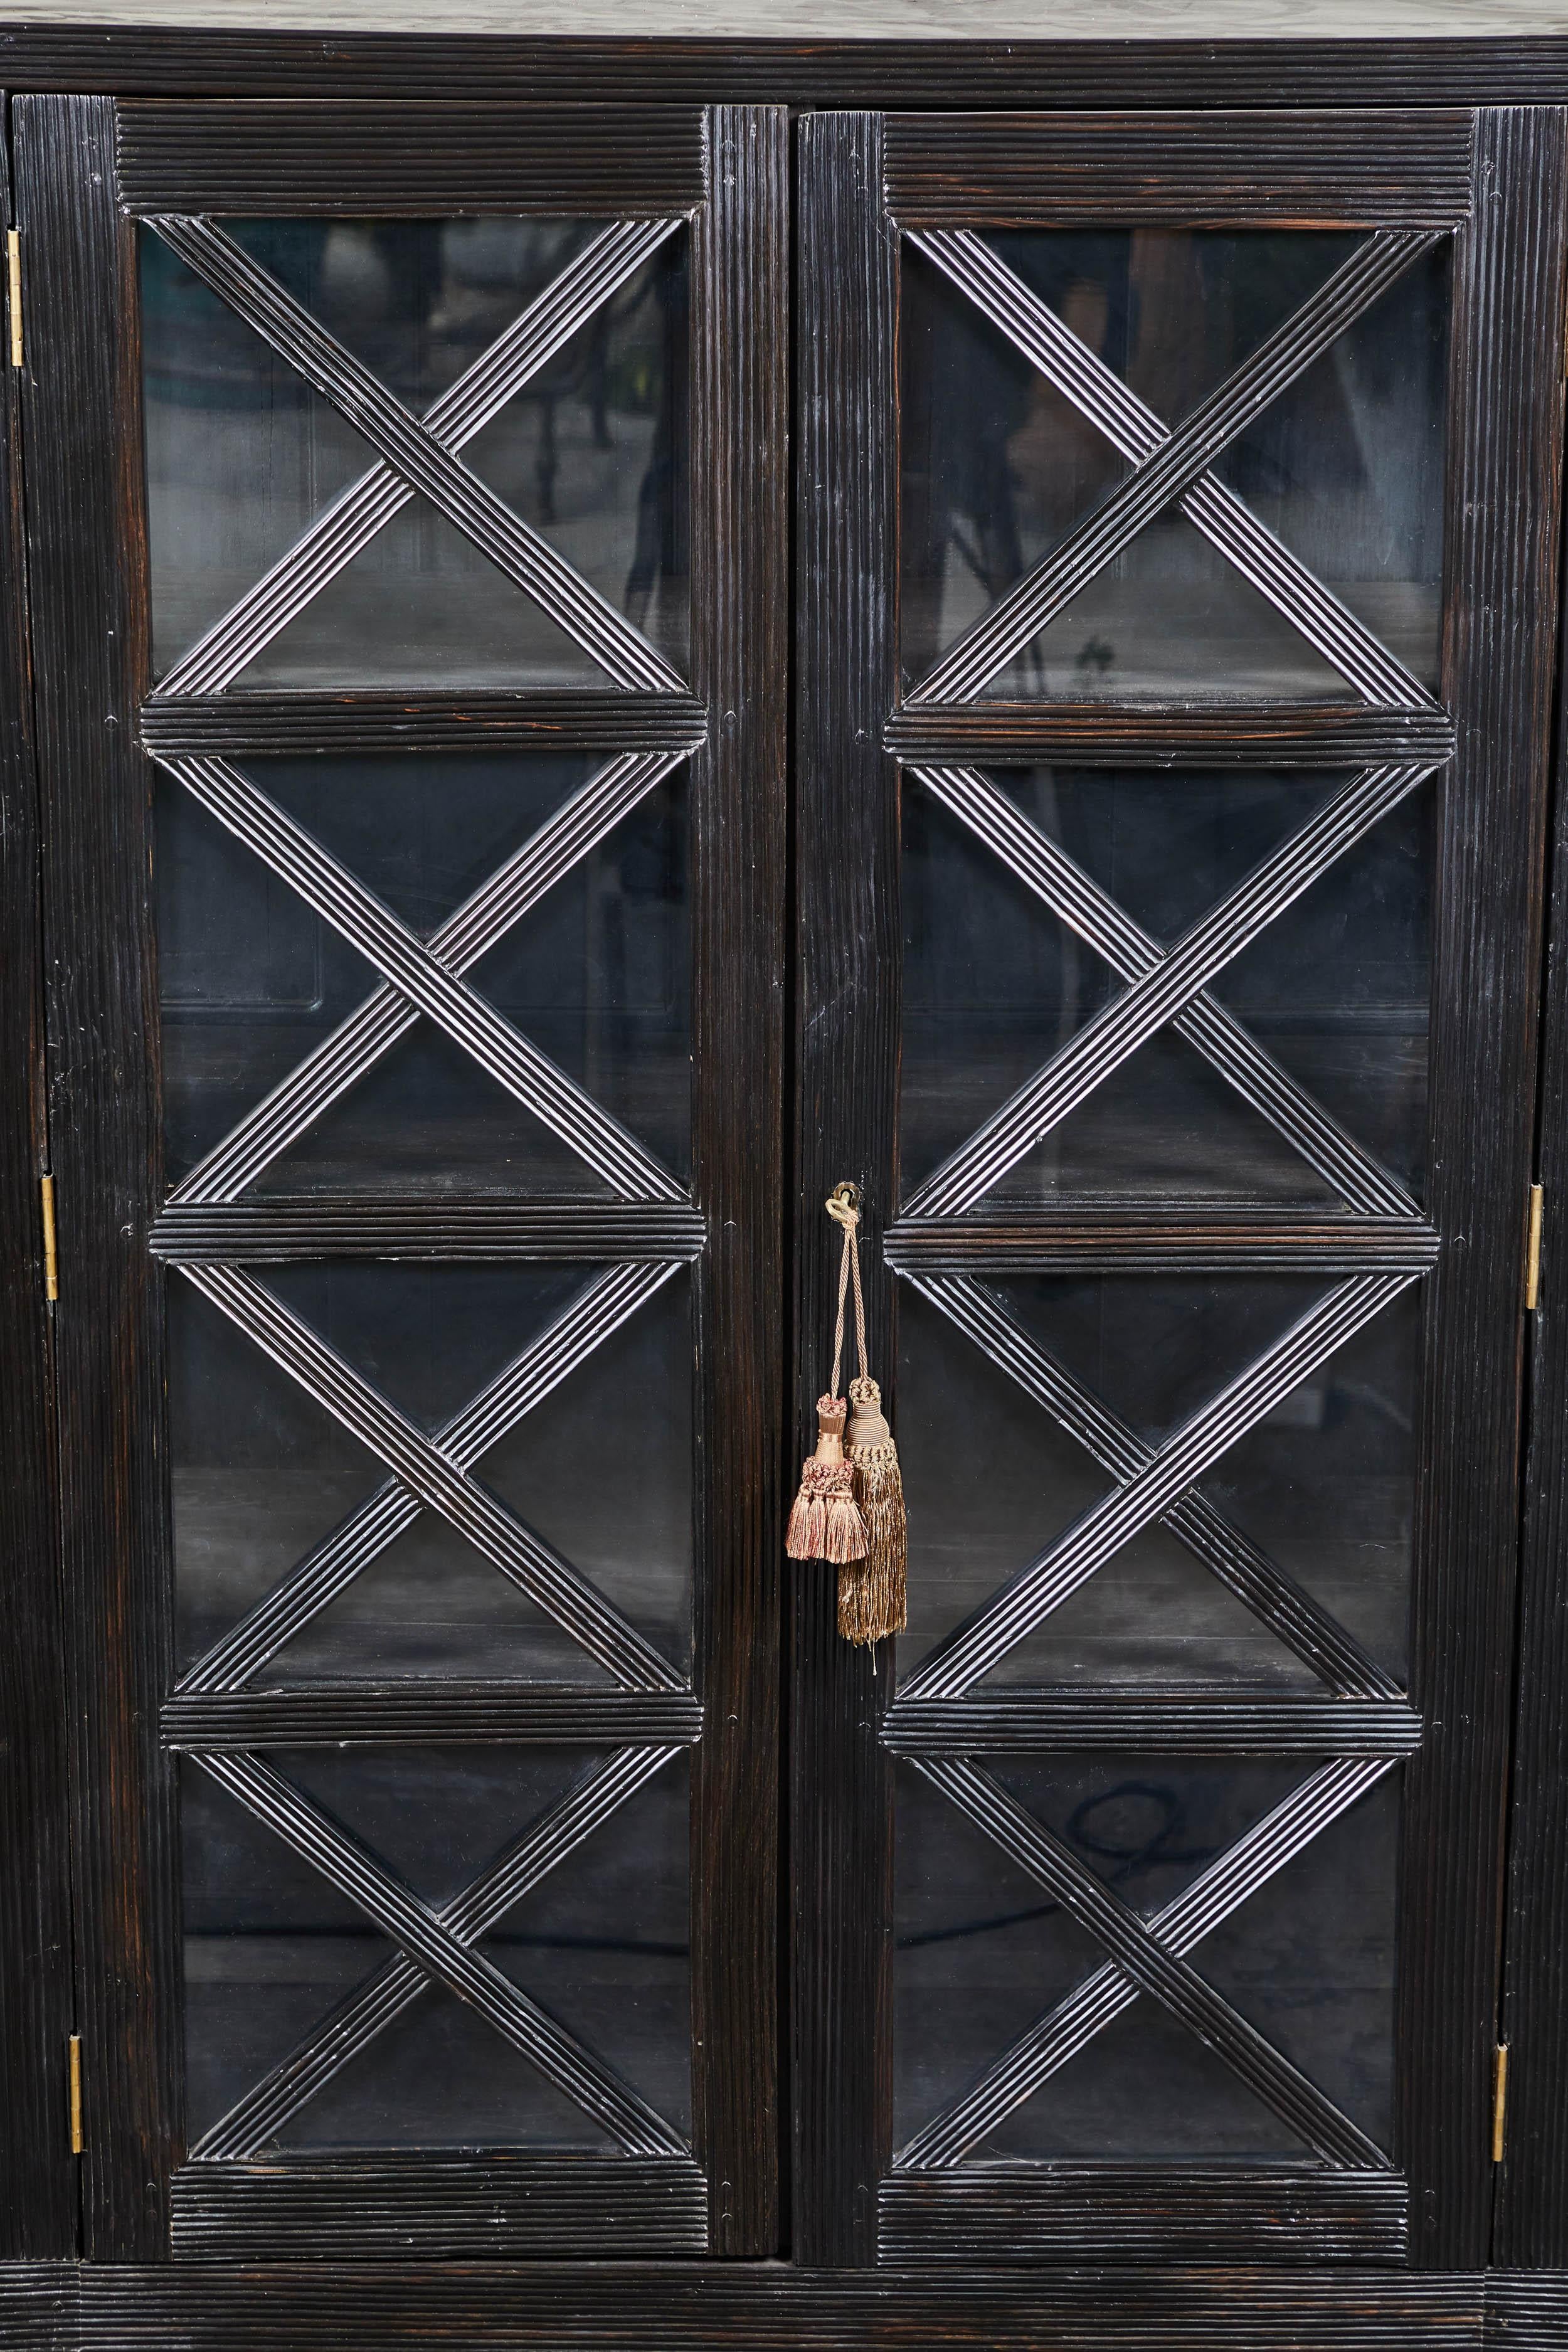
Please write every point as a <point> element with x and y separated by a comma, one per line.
<point>1170,735</point>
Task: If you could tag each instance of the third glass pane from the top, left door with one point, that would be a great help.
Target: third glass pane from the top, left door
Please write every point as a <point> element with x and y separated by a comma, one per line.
<point>262,1476</point>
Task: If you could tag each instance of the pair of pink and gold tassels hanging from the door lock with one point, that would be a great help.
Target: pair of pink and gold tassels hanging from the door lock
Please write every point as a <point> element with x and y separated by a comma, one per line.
<point>850,1506</point>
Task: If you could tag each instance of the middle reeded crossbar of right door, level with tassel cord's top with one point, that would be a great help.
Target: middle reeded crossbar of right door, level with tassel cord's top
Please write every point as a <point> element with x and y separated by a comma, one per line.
<point>1160,1241</point>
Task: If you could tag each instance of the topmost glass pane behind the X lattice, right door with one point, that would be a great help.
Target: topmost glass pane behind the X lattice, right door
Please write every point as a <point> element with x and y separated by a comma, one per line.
<point>998,467</point>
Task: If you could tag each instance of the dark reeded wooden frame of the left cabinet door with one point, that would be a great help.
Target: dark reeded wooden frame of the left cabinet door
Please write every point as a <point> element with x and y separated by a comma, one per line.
<point>88,168</point>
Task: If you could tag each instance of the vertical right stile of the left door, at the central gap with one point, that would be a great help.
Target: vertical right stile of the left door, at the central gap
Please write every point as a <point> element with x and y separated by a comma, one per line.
<point>739,669</point>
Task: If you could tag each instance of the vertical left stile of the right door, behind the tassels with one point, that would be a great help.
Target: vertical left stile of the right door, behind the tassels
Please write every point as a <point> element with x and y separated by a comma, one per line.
<point>847,1062</point>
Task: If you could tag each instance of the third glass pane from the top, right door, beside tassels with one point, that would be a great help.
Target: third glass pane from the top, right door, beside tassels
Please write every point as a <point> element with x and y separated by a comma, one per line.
<point>1322,1488</point>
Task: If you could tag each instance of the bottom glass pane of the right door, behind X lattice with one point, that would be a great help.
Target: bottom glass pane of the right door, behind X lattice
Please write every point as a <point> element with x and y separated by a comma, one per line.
<point>984,1951</point>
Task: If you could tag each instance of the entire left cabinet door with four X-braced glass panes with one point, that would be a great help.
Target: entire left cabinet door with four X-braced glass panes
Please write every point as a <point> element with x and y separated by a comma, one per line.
<point>415,853</point>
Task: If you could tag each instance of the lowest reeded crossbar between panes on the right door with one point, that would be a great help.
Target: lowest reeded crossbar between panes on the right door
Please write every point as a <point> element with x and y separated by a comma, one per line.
<point>1172,1723</point>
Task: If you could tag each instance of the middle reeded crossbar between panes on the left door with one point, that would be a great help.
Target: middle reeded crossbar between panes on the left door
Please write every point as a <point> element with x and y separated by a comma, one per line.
<point>384,1227</point>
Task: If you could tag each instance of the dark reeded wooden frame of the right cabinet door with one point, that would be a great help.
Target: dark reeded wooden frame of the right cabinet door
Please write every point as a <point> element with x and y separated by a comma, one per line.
<point>857,178</point>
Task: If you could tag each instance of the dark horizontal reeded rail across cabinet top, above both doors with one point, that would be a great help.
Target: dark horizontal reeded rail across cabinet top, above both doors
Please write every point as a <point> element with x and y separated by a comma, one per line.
<point>1118,72</point>
